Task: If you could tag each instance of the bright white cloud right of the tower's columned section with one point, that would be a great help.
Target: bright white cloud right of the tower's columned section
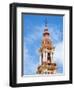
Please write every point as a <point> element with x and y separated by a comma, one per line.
<point>59,56</point>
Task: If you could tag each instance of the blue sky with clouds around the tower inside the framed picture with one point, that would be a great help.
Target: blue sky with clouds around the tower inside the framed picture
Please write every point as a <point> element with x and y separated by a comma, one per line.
<point>33,27</point>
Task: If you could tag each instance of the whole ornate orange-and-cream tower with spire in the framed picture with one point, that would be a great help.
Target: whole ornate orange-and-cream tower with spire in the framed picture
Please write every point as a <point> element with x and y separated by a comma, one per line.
<point>46,62</point>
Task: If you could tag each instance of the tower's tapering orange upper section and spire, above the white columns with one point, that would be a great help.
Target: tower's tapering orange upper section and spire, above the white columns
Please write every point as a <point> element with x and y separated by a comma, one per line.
<point>46,41</point>
